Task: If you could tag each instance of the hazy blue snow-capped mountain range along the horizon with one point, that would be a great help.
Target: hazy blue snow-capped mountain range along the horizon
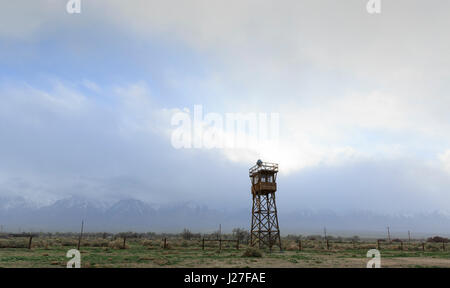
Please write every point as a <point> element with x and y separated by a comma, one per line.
<point>136,215</point>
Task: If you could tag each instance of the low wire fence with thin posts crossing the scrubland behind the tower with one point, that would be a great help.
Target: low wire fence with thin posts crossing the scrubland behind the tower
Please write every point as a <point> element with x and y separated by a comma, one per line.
<point>26,240</point>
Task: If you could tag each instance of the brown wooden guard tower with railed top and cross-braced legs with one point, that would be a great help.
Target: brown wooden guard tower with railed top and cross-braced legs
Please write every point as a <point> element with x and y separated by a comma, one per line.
<point>265,230</point>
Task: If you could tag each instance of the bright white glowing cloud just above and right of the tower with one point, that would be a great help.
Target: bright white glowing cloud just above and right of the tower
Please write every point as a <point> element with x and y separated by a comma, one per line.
<point>353,127</point>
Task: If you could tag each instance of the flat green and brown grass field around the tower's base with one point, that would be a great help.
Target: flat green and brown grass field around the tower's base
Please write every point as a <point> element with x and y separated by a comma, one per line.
<point>182,253</point>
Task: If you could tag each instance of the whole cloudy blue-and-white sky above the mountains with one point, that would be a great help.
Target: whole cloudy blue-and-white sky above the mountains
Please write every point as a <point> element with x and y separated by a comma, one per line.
<point>87,100</point>
